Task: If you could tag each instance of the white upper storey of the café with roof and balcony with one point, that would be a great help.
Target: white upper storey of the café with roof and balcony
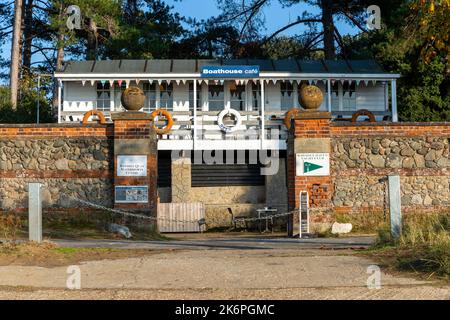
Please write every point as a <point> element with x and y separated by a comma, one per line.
<point>347,86</point>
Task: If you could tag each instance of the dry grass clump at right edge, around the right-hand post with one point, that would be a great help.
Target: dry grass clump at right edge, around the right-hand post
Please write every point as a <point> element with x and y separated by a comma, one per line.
<point>423,247</point>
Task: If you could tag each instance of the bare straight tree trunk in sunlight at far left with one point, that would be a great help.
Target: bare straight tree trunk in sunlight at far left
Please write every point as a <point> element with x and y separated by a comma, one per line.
<point>15,52</point>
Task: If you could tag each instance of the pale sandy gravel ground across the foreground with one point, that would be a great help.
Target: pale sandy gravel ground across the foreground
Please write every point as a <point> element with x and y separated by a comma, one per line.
<point>219,274</point>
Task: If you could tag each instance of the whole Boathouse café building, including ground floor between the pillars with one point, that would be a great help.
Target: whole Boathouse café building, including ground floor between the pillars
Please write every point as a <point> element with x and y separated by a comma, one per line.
<point>201,94</point>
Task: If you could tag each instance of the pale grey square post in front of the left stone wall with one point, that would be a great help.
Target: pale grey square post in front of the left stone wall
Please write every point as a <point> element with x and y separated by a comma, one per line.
<point>34,212</point>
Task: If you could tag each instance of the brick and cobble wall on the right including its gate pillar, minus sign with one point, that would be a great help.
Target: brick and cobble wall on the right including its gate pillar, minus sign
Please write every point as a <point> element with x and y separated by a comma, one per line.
<point>362,153</point>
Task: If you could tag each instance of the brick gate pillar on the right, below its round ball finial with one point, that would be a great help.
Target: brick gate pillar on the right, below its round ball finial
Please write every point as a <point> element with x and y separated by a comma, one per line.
<point>310,133</point>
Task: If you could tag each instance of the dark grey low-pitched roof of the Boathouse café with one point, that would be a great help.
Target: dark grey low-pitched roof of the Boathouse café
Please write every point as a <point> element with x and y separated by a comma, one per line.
<point>194,66</point>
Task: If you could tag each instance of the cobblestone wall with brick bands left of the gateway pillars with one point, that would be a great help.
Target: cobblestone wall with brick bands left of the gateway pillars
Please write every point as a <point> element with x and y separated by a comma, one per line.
<point>71,161</point>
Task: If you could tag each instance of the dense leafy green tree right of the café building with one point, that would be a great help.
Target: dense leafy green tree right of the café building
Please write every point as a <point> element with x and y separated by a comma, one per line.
<point>424,88</point>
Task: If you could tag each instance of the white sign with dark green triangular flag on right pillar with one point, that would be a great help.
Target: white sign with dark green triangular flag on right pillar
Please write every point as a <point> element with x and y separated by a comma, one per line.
<point>312,164</point>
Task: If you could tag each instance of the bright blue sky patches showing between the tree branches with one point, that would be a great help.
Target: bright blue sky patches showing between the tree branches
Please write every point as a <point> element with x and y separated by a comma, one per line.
<point>275,16</point>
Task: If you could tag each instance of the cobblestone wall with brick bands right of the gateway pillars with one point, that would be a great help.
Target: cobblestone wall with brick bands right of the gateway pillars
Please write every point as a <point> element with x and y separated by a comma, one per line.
<point>364,153</point>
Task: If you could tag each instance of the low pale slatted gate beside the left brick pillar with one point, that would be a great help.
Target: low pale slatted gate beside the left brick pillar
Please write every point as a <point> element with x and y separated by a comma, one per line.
<point>181,217</point>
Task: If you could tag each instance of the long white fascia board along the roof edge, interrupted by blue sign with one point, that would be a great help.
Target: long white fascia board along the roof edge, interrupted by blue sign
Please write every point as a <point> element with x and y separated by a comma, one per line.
<point>185,76</point>
